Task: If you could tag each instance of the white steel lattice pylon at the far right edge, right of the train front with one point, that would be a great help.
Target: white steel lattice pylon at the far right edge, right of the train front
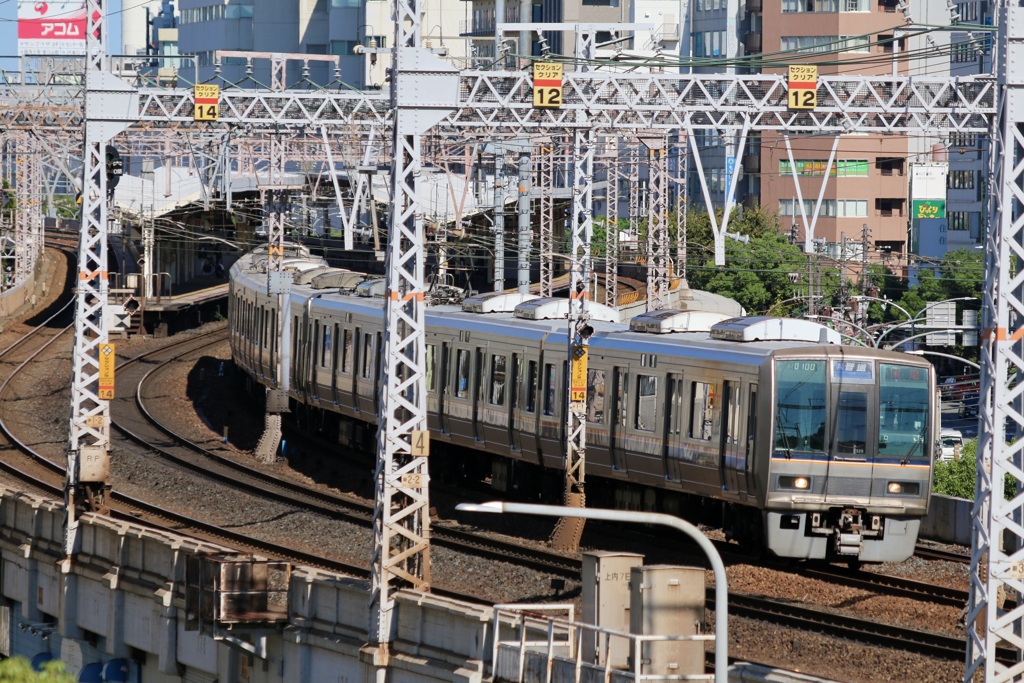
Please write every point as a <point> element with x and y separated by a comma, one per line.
<point>998,548</point>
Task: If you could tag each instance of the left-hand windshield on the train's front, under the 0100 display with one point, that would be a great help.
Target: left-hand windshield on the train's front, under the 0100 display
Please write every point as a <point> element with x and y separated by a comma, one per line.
<point>801,405</point>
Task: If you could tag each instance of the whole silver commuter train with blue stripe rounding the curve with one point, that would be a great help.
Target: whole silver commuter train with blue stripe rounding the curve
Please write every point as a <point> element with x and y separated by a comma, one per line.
<point>807,448</point>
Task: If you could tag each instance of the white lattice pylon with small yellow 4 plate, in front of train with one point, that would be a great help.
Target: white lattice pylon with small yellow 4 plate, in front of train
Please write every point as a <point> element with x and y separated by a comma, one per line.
<point>402,516</point>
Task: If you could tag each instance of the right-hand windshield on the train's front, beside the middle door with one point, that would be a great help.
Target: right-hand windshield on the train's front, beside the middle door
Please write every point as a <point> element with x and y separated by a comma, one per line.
<point>904,399</point>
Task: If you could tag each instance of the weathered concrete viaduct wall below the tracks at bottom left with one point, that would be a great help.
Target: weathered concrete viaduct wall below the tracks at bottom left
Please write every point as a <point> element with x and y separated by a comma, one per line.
<point>120,605</point>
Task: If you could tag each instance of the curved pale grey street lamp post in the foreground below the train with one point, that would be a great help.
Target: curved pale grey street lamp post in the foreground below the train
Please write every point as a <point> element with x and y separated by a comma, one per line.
<point>721,585</point>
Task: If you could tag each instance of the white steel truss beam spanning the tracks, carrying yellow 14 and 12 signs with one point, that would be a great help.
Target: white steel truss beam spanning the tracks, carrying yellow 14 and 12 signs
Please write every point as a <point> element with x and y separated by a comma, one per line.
<point>490,101</point>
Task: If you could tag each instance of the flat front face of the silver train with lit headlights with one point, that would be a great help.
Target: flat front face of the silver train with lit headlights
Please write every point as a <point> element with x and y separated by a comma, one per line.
<point>851,454</point>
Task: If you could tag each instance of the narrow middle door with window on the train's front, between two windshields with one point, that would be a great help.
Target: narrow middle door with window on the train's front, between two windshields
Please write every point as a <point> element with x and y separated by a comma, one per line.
<point>852,433</point>
